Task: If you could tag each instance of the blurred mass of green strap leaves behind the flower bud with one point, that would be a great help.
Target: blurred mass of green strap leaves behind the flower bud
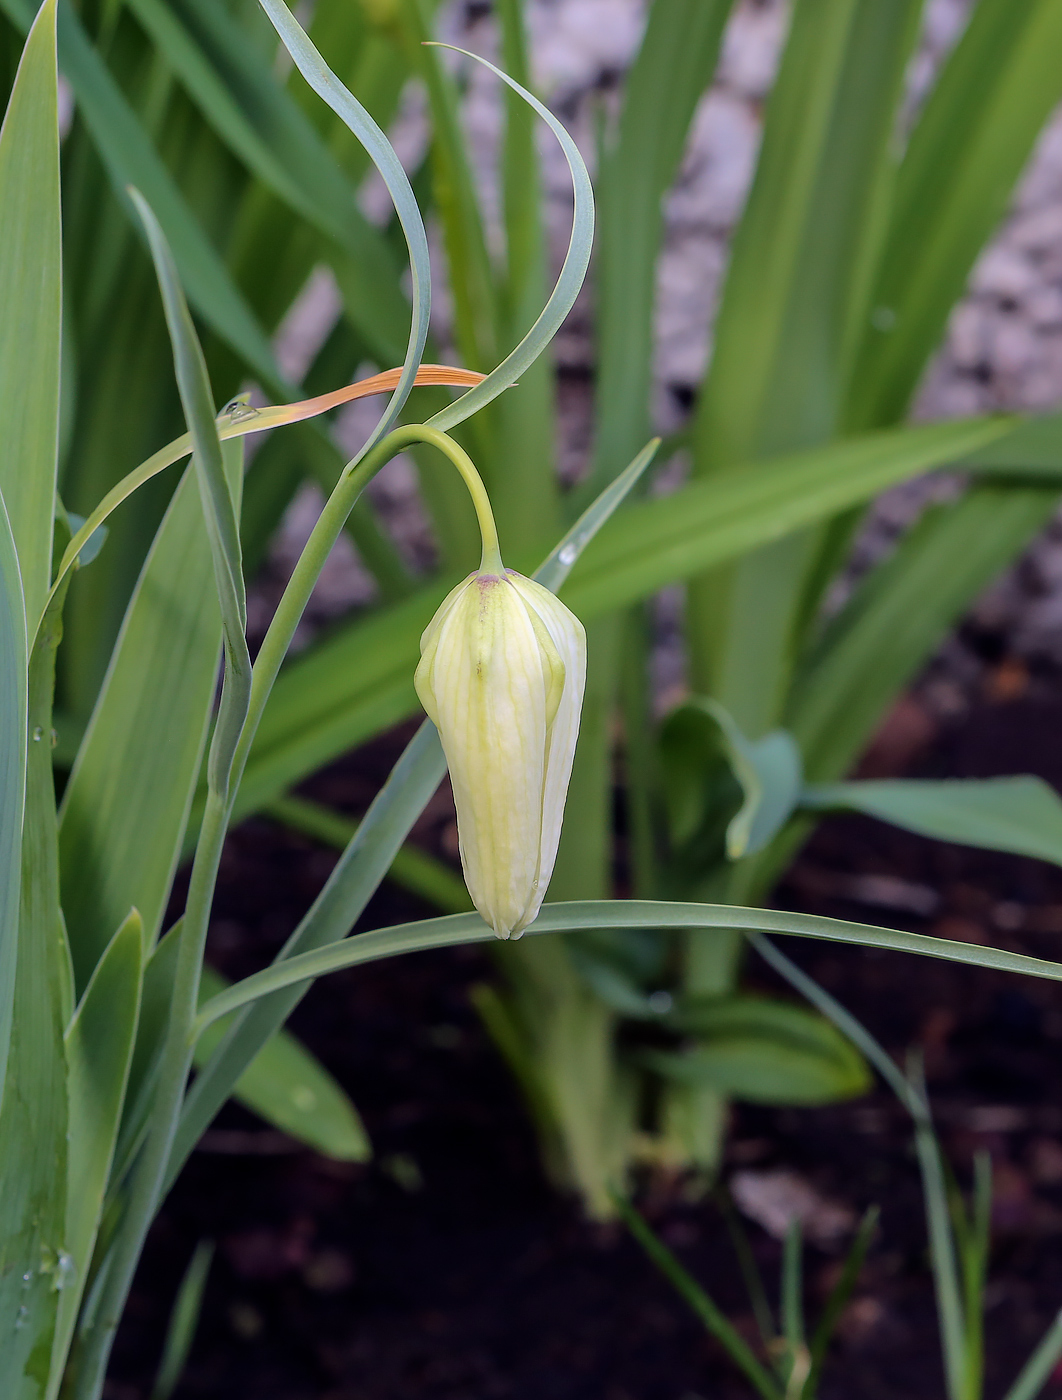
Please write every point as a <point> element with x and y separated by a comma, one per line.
<point>857,239</point>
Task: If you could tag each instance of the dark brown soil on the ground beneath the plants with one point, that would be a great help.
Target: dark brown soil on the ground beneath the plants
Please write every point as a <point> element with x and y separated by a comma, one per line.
<point>448,1270</point>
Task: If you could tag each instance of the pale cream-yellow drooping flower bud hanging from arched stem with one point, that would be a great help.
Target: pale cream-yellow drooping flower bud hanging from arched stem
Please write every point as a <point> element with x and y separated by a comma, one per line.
<point>502,675</point>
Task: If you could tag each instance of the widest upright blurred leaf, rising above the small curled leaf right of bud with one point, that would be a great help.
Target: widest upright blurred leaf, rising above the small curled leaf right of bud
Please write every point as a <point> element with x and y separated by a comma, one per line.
<point>794,297</point>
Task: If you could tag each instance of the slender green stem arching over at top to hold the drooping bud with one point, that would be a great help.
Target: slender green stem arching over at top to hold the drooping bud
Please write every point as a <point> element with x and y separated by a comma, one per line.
<point>149,1175</point>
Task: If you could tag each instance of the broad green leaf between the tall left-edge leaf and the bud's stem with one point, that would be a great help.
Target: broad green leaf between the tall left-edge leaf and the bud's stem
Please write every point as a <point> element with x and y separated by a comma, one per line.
<point>128,799</point>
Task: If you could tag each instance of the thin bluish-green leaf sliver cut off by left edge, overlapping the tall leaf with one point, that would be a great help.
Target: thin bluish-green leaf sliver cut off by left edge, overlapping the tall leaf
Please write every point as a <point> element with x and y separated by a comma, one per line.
<point>13,737</point>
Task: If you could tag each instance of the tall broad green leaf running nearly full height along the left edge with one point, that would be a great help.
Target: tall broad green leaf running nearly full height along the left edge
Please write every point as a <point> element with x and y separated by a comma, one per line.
<point>36,989</point>
